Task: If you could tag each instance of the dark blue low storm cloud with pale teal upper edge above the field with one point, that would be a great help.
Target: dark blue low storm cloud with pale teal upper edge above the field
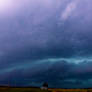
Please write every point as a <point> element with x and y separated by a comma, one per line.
<point>63,73</point>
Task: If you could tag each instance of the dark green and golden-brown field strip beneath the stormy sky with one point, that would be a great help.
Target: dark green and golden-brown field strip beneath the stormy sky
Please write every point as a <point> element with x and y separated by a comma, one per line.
<point>6,89</point>
